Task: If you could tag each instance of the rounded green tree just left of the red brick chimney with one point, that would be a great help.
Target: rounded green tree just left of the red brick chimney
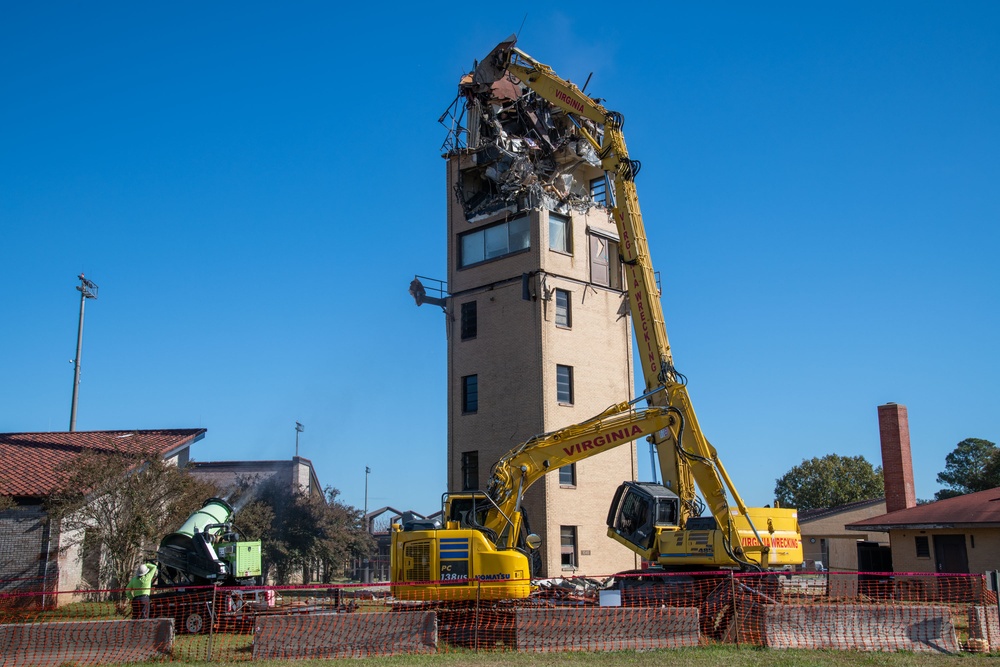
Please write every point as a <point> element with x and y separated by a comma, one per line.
<point>830,481</point>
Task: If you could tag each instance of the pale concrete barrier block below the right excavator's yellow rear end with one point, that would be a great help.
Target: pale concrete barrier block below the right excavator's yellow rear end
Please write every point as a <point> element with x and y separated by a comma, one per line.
<point>919,628</point>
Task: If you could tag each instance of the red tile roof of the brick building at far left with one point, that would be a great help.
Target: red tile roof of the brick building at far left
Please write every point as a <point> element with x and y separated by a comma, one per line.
<point>30,462</point>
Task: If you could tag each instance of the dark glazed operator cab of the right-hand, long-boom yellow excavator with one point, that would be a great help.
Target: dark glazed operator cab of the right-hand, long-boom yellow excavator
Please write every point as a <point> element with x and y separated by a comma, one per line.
<point>638,507</point>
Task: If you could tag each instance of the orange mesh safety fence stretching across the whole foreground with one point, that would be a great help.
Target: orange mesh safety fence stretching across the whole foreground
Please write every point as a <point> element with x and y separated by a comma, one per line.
<point>647,610</point>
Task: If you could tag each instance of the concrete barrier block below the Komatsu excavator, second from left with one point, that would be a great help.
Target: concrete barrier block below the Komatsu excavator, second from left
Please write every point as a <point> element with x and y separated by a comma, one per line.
<point>344,635</point>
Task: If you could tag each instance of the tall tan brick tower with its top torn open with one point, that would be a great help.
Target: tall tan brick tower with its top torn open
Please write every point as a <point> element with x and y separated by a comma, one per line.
<point>538,331</point>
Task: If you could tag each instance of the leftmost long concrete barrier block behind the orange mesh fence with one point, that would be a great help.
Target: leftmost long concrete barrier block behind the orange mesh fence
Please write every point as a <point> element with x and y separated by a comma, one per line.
<point>85,642</point>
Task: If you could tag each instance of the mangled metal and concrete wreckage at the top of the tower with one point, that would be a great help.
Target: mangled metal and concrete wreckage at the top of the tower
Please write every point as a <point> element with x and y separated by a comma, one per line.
<point>517,151</point>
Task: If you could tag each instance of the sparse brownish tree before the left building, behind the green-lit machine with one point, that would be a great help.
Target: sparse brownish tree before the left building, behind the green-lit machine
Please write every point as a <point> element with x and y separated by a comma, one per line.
<point>122,504</point>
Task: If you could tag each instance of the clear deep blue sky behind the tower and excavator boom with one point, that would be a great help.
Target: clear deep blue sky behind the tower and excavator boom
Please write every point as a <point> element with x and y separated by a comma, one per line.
<point>253,186</point>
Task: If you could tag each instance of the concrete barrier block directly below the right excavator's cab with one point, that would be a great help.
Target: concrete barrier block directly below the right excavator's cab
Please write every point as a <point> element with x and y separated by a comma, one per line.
<point>605,628</point>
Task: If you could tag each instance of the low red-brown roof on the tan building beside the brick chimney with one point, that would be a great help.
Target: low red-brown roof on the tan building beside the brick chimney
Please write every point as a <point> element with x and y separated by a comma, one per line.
<point>973,509</point>
